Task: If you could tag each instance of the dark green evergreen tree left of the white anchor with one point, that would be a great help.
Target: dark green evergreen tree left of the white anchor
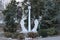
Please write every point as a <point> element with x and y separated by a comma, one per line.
<point>10,14</point>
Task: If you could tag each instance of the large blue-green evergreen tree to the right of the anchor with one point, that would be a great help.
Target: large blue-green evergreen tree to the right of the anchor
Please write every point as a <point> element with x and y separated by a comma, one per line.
<point>49,13</point>
